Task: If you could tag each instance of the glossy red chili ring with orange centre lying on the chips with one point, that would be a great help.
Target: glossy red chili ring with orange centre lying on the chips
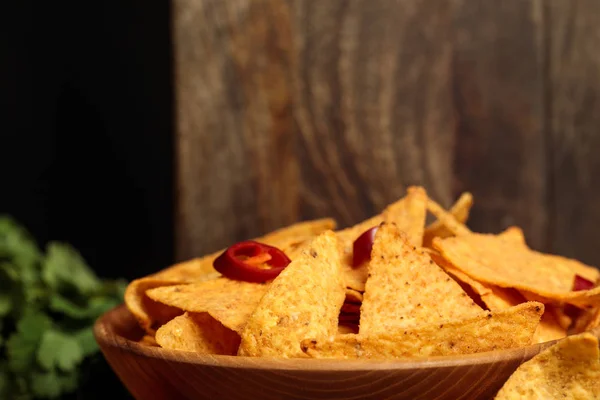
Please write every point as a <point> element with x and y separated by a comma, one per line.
<point>241,261</point>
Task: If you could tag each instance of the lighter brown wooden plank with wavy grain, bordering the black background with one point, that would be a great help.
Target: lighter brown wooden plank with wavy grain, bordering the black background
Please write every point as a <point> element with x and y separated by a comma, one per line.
<point>291,110</point>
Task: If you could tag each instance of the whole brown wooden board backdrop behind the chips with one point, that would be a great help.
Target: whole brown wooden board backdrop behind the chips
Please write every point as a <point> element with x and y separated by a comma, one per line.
<point>297,109</point>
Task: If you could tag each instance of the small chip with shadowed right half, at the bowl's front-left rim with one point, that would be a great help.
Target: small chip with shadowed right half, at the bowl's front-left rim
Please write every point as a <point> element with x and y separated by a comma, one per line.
<point>199,333</point>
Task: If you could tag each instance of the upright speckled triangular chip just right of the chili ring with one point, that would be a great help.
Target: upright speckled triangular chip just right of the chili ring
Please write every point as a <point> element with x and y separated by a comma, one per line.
<point>303,301</point>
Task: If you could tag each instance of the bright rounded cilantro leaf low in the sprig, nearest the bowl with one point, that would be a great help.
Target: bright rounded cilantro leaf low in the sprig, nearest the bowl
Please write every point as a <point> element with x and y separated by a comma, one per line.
<point>60,350</point>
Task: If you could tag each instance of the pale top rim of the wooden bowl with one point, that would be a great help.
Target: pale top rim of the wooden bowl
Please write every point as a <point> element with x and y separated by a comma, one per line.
<point>106,336</point>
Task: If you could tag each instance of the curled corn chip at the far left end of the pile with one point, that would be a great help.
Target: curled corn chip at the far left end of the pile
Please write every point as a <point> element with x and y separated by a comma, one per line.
<point>148,312</point>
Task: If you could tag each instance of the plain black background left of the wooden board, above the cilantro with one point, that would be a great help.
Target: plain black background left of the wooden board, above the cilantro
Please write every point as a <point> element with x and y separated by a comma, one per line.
<point>86,134</point>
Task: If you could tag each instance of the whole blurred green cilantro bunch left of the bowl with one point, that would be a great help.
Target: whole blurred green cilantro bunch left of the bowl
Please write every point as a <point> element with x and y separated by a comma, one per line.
<point>49,301</point>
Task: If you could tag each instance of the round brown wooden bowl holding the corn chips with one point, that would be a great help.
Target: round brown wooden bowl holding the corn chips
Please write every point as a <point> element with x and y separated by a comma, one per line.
<point>156,373</point>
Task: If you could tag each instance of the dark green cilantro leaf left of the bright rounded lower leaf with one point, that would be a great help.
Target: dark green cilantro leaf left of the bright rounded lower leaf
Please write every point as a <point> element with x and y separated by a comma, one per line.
<point>22,345</point>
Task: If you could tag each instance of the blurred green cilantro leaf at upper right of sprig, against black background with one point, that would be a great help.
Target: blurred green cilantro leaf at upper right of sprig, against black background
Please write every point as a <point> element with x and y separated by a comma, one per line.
<point>64,268</point>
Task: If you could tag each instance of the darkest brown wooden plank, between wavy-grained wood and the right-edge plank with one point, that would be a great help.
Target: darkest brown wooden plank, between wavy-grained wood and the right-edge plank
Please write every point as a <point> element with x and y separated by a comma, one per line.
<point>499,88</point>
